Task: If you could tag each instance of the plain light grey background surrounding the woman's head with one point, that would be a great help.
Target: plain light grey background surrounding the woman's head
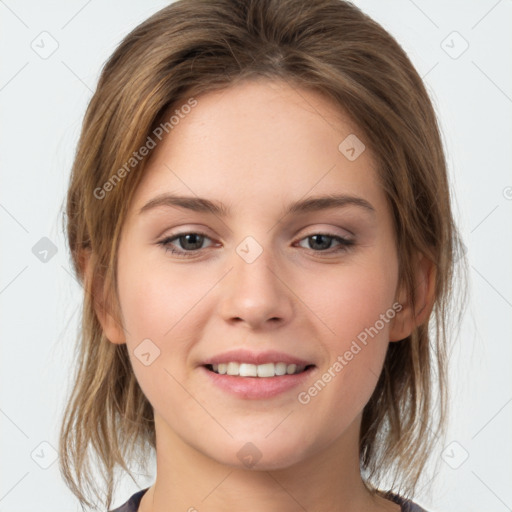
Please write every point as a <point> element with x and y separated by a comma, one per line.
<point>43,99</point>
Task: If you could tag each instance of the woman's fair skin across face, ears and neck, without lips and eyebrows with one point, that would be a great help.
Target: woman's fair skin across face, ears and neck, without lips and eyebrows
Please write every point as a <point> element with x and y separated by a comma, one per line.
<point>257,147</point>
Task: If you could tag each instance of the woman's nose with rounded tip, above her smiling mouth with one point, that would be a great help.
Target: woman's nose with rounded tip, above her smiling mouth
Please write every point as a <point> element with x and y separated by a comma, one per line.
<point>257,293</point>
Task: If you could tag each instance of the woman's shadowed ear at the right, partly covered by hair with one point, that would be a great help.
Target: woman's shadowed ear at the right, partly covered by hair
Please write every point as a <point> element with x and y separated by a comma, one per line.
<point>407,319</point>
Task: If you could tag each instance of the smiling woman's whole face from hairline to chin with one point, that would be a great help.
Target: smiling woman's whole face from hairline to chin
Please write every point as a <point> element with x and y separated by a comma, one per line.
<point>248,282</point>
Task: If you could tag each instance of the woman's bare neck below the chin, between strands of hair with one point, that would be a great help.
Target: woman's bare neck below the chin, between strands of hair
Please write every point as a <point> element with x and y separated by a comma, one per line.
<point>328,480</point>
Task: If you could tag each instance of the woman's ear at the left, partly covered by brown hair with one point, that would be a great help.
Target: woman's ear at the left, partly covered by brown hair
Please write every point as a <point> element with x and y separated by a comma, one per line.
<point>111,326</point>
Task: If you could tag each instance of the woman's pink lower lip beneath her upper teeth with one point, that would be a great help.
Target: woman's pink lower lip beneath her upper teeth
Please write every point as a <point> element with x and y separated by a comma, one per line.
<point>257,388</point>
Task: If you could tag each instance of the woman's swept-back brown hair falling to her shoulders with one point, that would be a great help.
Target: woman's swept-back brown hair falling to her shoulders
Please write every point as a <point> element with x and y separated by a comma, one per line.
<point>196,46</point>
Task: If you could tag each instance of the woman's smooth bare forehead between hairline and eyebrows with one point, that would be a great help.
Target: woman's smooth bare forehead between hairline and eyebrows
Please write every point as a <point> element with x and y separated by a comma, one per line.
<point>260,140</point>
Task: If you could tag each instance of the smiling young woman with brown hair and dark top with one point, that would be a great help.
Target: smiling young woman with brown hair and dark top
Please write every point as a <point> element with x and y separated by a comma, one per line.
<point>260,215</point>
